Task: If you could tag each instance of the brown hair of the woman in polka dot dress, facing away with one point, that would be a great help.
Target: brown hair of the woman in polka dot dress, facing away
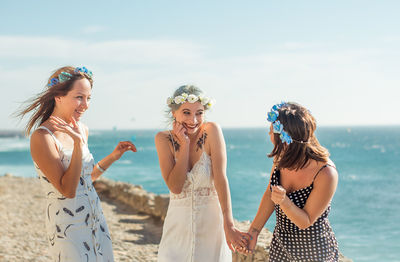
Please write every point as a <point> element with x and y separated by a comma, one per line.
<point>300,125</point>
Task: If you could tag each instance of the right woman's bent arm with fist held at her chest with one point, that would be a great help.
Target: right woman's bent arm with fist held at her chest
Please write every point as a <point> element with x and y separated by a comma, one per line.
<point>324,188</point>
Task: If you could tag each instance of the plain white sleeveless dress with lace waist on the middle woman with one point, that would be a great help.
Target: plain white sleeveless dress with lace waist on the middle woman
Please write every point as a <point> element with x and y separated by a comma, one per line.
<point>193,228</point>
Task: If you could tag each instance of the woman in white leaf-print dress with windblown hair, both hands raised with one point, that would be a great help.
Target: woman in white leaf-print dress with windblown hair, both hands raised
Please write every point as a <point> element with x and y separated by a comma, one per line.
<point>75,224</point>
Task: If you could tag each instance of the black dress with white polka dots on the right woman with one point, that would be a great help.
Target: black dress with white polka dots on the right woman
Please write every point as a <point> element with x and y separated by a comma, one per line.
<point>290,243</point>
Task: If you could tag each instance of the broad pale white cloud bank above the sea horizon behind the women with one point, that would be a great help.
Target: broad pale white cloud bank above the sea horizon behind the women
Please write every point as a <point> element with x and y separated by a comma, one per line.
<point>134,77</point>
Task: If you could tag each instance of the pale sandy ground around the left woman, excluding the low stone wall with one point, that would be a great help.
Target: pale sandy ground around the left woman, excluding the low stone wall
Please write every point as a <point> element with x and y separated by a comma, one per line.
<point>135,236</point>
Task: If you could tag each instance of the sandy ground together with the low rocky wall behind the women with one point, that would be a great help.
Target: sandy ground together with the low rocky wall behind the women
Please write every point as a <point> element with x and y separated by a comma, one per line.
<point>134,217</point>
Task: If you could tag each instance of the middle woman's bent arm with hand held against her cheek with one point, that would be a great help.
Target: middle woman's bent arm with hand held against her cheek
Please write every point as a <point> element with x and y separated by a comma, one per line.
<point>174,174</point>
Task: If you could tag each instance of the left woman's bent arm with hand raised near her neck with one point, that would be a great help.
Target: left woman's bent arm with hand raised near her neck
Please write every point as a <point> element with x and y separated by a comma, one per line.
<point>45,154</point>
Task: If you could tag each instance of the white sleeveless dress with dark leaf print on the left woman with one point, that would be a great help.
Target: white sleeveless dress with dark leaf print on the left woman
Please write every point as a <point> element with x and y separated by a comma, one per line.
<point>76,228</point>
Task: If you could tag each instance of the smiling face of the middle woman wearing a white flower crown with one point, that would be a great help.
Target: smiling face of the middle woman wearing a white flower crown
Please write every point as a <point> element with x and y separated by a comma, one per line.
<point>191,116</point>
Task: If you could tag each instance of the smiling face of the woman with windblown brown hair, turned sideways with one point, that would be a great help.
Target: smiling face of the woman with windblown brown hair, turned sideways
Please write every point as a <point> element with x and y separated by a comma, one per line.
<point>76,101</point>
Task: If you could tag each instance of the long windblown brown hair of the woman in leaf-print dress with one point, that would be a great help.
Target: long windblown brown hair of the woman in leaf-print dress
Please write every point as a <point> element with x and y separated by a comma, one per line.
<point>42,105</point>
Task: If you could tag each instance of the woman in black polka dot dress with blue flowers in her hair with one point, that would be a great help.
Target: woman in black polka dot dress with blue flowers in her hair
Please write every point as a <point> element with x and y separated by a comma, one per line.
<point>302,184</point>
